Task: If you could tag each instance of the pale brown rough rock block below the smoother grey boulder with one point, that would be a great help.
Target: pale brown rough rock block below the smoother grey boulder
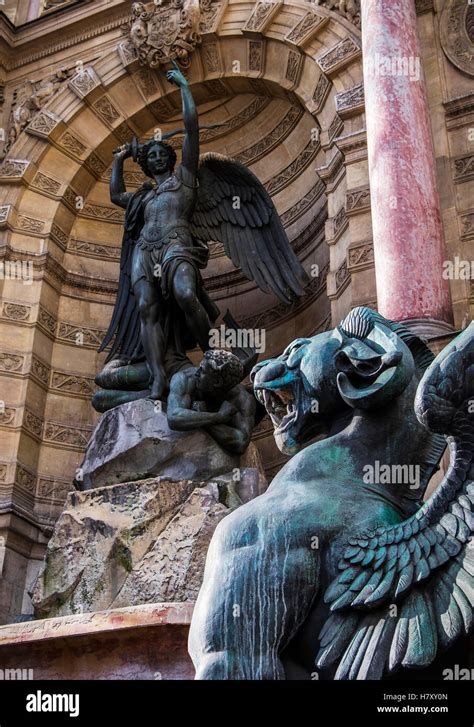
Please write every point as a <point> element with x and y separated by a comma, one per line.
<point>134,543</point>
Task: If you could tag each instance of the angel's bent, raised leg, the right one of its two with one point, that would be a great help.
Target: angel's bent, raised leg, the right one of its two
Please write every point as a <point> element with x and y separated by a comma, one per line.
<point>185,293</point>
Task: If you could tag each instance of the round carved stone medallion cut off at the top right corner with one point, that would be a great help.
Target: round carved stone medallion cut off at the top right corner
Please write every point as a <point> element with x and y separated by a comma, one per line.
<point>457,34</point>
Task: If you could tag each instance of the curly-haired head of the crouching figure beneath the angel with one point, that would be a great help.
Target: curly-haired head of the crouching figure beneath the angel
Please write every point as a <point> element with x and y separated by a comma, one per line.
<point>218,372</point>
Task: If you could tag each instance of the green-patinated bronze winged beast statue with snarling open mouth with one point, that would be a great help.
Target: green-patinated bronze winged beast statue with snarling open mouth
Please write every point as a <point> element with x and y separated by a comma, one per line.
<point>332,574</point>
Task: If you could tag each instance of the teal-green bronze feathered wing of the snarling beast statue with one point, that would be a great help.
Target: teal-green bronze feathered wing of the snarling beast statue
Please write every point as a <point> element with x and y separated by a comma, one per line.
<point>406,591</point>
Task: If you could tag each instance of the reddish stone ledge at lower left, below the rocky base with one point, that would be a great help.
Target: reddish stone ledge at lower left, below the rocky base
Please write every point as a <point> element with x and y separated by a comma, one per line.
<point>143,642</point>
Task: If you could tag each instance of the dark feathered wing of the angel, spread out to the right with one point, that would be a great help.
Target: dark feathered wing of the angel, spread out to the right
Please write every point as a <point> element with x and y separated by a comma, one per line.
<point>234,208</point>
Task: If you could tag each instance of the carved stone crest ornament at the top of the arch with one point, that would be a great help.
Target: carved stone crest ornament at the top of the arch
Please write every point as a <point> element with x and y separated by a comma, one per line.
<point>168,31</point>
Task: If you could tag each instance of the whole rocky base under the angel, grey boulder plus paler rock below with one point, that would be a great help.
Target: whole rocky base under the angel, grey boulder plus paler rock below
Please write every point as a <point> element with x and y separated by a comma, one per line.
<point>138,529</point>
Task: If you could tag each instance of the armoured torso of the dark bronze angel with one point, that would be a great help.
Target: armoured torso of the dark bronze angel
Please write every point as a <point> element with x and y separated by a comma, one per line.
<point>166,207</point>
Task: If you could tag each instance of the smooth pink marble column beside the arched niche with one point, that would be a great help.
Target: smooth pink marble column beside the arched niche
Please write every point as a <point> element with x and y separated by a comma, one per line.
<point>408,235</point>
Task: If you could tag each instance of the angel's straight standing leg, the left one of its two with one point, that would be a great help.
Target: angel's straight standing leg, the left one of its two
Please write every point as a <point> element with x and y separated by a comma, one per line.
<point>151,334</point>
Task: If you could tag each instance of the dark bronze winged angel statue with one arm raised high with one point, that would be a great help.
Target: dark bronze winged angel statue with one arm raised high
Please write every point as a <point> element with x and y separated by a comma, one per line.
<point>162,308</point>
